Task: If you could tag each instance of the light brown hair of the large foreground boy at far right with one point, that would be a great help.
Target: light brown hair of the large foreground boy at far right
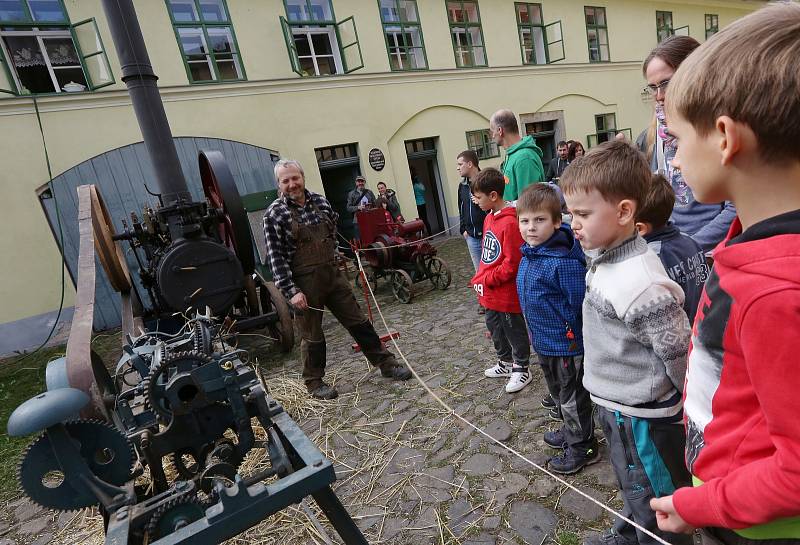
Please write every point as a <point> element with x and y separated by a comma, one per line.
<point>749,72</point>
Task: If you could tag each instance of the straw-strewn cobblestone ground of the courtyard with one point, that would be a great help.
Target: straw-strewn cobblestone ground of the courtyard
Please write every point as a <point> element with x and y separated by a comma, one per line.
<point>408,472</point>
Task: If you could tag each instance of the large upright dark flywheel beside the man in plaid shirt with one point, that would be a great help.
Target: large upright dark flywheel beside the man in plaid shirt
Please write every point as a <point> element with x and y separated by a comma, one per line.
<point>220,190</point>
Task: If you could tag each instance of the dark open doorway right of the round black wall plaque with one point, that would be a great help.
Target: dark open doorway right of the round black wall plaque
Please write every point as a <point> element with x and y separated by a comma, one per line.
<point>422,162</point>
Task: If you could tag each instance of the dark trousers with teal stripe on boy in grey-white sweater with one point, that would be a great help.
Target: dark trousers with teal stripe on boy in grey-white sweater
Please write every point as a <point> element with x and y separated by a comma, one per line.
<point>647,457</point>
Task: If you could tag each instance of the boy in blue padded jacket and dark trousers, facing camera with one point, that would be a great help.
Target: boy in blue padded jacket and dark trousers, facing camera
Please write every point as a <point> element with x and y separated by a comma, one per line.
<point>551,282</point>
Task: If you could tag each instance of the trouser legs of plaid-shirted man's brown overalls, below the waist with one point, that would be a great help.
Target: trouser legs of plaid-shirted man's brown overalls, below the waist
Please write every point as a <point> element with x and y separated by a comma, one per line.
<point>327,287</point>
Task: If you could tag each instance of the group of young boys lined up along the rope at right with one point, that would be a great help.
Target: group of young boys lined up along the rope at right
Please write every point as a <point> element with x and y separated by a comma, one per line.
<point>715,447</point>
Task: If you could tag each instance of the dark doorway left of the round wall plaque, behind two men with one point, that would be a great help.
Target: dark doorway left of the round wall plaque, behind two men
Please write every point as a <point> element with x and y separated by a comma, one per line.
<point>338,167</point>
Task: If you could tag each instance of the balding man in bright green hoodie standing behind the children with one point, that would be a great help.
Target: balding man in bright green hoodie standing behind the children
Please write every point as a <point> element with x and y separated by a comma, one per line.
<point>523,164</point>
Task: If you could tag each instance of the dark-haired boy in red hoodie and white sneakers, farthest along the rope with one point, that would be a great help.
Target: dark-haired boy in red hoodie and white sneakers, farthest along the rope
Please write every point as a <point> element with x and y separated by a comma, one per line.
<point>496,281</point>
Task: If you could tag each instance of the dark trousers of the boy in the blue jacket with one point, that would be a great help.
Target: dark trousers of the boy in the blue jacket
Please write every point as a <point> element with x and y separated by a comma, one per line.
<point>564,378</point>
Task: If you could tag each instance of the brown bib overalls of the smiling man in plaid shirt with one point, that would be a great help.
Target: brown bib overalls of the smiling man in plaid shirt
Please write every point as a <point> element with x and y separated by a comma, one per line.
<point>315,273</point>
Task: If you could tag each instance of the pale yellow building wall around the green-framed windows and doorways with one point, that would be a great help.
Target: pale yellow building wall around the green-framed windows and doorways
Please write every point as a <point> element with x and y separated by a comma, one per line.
<point>278,110</point>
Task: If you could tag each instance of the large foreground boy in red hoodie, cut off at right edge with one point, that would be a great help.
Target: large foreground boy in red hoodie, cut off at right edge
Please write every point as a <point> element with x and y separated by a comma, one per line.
<point>734,107</point>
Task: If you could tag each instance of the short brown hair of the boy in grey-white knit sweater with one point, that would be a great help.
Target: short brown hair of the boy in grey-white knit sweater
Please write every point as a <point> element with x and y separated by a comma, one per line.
<point>615,169</point>
